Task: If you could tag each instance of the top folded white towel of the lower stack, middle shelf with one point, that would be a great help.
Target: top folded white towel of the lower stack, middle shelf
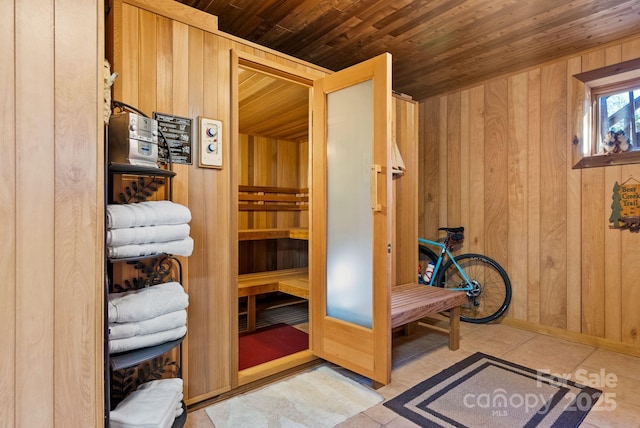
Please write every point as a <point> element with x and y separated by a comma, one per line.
<point>146,303</point>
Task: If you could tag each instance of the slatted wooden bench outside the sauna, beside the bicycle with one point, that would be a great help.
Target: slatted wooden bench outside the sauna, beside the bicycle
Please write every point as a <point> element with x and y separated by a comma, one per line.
<point>412,302</point>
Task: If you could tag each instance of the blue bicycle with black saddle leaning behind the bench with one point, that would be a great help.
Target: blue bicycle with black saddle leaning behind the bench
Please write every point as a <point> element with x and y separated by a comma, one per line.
<point>485,282</point>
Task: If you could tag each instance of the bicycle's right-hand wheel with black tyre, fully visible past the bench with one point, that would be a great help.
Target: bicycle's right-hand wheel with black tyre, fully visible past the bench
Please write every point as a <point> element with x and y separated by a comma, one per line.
<point>488,295</point>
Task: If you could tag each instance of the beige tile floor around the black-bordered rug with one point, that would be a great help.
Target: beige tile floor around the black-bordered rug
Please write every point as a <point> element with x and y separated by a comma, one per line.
<point>423,354</point>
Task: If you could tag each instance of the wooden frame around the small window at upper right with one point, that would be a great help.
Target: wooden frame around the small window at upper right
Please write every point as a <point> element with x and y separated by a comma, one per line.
<point>588,86</point>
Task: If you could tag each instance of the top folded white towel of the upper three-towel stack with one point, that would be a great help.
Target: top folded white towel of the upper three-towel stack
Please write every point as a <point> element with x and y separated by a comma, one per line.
<point>149,213</point>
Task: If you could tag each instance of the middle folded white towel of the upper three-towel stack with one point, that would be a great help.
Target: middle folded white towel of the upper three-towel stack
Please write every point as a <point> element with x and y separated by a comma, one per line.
<point>146,235</point>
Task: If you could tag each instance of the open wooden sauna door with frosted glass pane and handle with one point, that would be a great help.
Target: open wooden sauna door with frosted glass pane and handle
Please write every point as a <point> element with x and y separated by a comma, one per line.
<point>350,252</point>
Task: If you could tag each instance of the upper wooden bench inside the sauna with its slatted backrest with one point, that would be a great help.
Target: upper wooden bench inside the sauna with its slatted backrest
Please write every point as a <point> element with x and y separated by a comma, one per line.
<point>264,198</point>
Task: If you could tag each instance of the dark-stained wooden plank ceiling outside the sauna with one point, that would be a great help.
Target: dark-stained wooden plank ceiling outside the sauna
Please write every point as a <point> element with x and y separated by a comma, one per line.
<point>437,45</point>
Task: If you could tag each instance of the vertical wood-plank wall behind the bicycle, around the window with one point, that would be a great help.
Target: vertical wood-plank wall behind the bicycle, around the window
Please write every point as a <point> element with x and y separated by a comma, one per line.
<point>545,222</point>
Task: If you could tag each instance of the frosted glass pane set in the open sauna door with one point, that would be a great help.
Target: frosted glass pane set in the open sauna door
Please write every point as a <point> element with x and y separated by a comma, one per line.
<point>349,219</point>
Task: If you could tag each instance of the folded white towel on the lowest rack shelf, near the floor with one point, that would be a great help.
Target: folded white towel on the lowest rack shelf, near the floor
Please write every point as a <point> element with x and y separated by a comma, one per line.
<point>152,405</point>
